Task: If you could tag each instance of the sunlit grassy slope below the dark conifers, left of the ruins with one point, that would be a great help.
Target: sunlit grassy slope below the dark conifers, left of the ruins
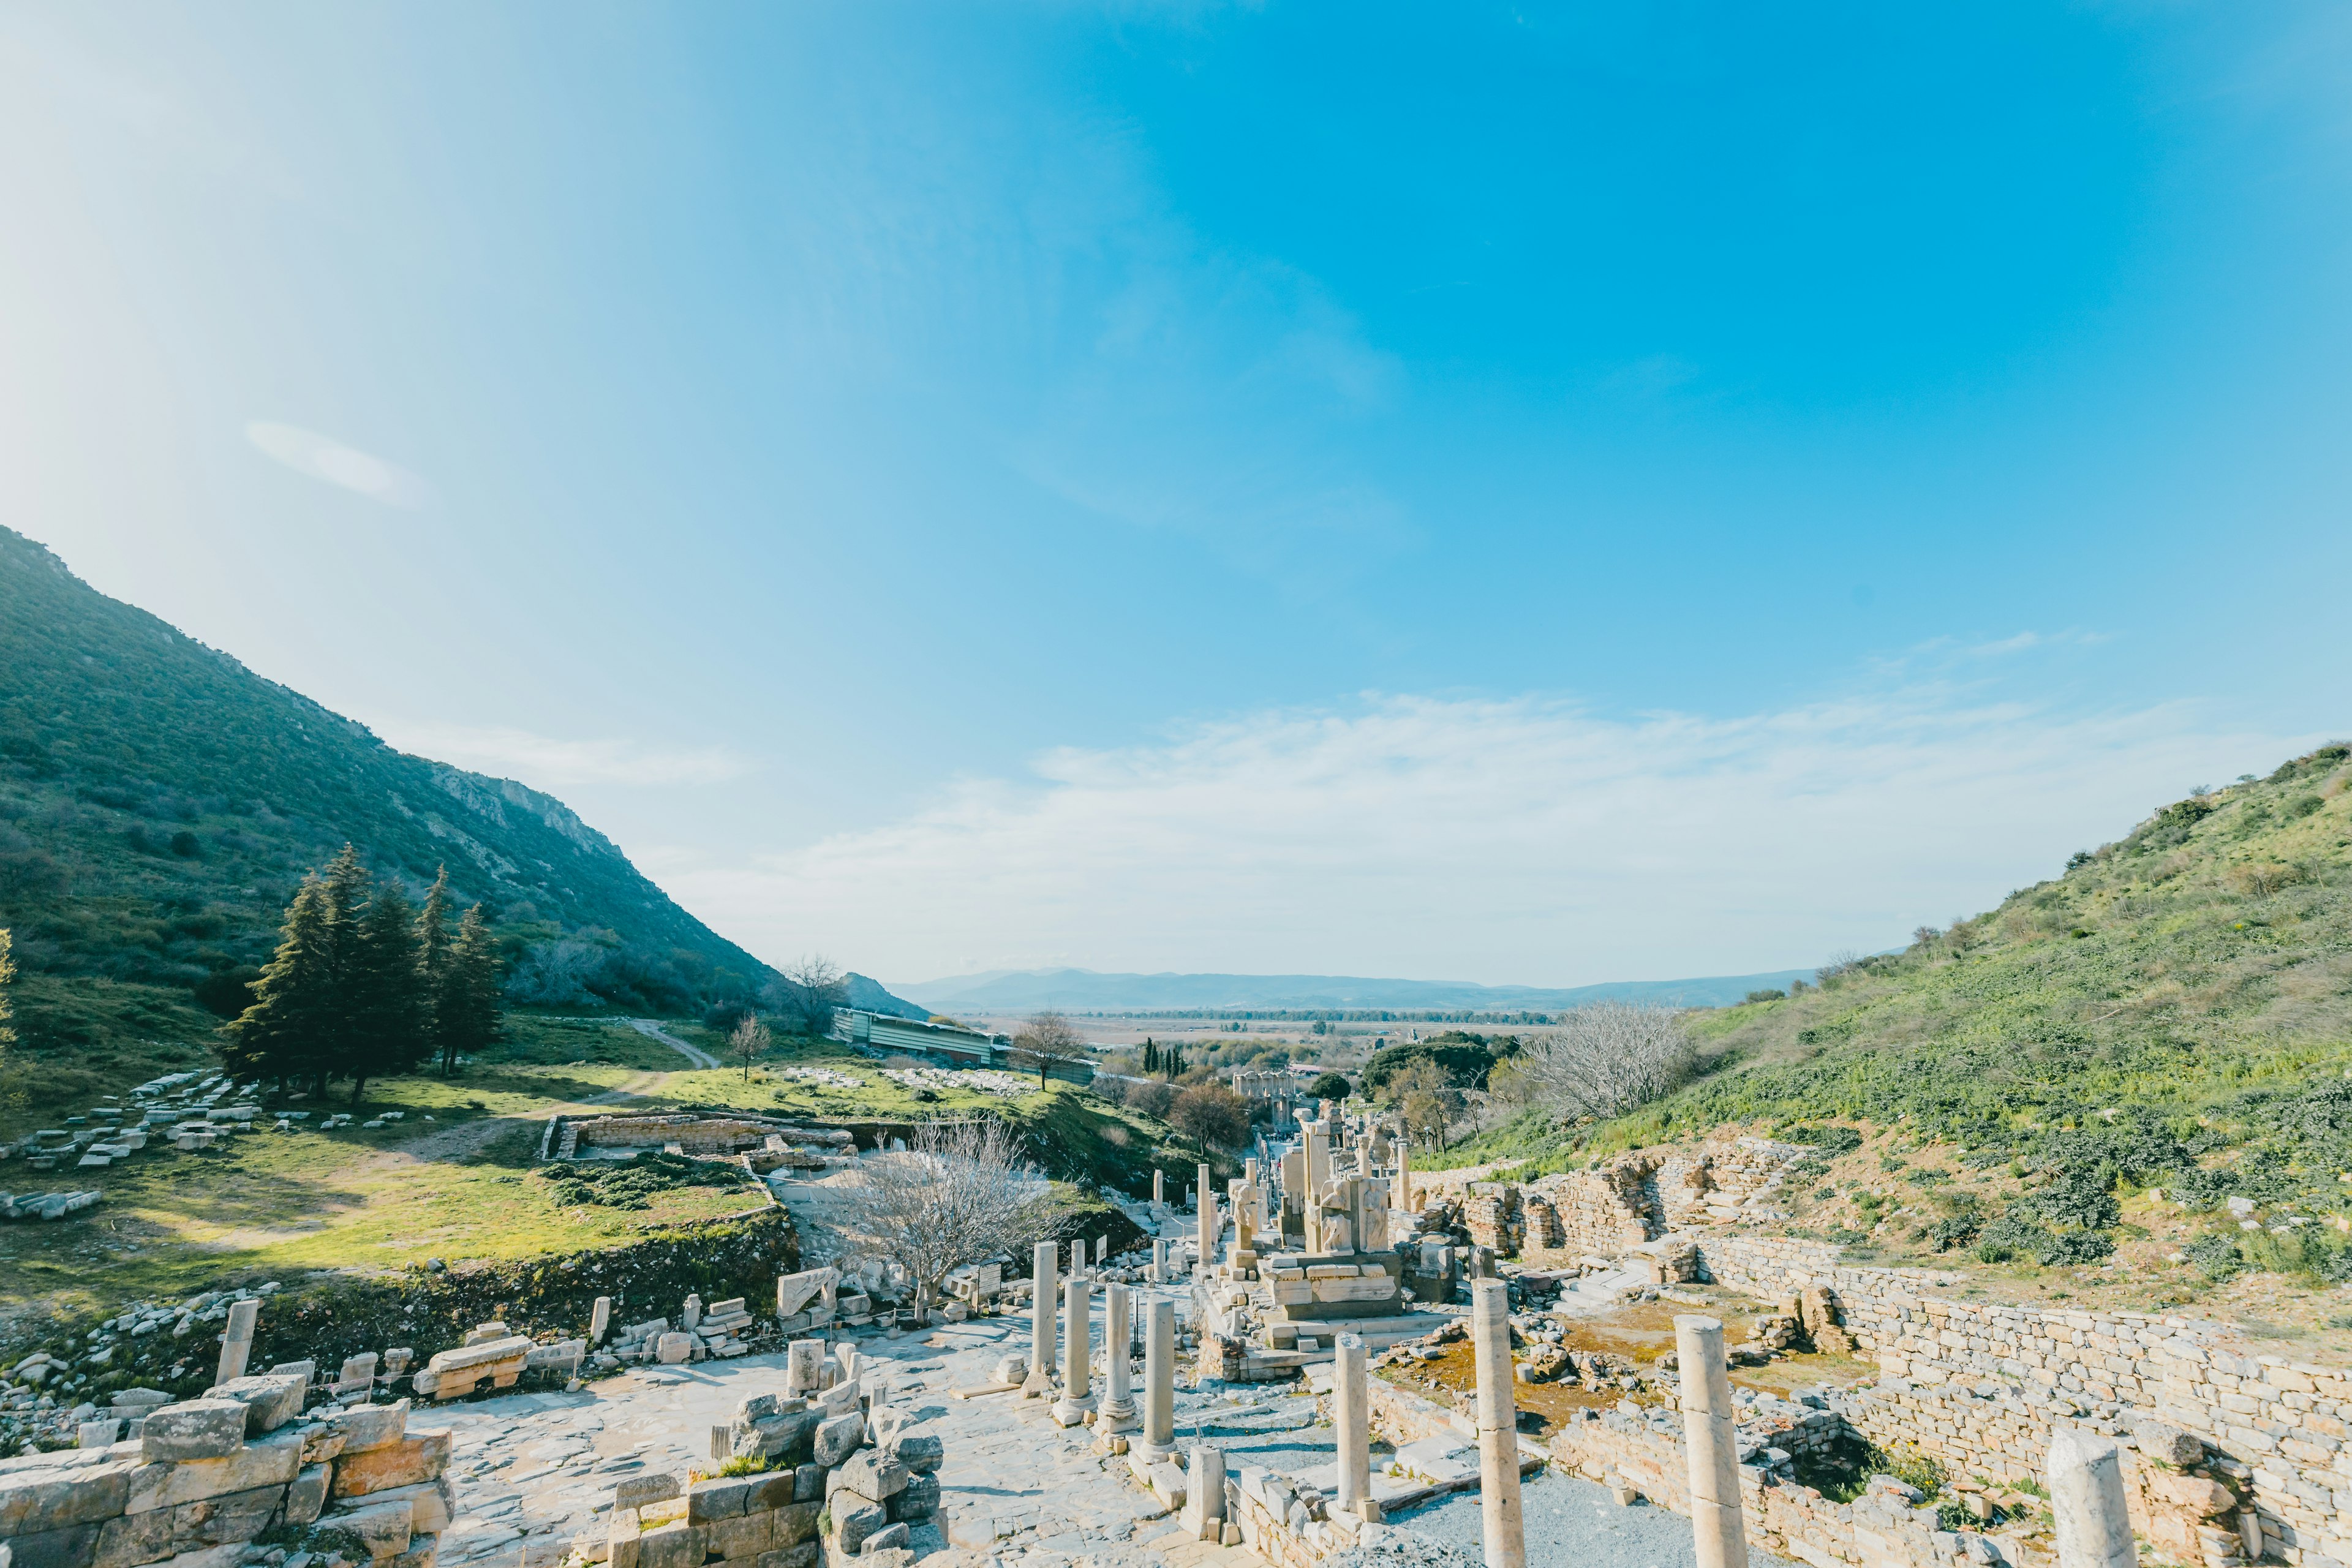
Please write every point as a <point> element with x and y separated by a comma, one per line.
<point>460,1188</point>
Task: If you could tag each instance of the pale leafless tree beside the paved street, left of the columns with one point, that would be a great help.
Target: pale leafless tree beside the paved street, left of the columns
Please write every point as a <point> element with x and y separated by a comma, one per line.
<point>956,1195</point>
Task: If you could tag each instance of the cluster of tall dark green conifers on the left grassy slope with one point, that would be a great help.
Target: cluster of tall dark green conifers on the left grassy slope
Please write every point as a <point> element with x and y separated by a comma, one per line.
<point>368,986</point>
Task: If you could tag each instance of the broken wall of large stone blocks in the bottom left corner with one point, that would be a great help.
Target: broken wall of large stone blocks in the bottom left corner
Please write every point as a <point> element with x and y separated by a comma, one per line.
<point>203,1477</point>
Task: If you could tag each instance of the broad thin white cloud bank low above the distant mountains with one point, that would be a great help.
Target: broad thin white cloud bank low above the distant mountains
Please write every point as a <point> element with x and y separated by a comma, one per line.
<point>1488,840</point>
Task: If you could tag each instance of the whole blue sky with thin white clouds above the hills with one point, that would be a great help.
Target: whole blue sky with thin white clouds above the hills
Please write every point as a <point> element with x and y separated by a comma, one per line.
<point>1523,495</point>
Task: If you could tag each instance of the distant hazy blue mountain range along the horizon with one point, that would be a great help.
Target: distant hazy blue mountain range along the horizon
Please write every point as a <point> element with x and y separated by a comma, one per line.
<point>1013,991</point>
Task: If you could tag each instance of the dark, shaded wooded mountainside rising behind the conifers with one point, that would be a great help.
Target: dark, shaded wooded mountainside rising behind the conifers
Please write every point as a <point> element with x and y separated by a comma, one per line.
<point>159,805</point>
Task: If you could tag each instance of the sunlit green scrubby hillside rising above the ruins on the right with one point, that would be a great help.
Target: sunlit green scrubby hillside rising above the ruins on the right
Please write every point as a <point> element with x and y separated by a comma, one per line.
<point>2174,1010</point>
